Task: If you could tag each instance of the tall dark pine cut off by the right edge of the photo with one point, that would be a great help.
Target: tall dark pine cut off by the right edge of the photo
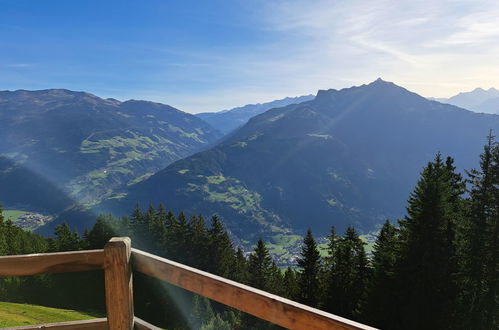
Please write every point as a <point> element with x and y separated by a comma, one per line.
<point>478,248</point>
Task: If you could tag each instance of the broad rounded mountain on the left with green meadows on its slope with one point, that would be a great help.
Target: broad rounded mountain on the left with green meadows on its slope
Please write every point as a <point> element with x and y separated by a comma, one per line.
<point>90,146</point>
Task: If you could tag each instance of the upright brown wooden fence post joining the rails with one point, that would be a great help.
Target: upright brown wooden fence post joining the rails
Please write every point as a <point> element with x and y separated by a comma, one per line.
<point>118,281</point>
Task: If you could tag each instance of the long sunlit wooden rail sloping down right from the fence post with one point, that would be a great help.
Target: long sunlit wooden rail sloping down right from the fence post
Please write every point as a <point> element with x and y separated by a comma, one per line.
<point>267,306</point>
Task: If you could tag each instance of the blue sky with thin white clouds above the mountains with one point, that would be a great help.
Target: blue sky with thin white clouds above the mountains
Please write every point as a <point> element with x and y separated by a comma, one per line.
<point>212,55</point>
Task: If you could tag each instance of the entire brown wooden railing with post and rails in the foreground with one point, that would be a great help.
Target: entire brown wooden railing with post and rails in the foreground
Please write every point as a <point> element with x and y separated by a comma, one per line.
<point>118,259</point>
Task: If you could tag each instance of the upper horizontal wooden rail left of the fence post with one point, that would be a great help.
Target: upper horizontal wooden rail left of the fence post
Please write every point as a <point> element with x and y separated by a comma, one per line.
<point>60,262</point>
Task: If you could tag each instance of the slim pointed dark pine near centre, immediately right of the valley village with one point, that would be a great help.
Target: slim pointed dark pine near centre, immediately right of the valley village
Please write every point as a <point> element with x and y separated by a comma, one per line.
<point>310,265</point>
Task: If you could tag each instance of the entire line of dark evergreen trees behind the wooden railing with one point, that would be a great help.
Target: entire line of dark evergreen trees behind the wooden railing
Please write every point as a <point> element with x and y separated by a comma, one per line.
<point>437,268</point>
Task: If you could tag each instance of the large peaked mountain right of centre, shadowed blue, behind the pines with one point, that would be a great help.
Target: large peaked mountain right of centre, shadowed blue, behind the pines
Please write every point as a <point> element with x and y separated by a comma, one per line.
<point>348,156</point>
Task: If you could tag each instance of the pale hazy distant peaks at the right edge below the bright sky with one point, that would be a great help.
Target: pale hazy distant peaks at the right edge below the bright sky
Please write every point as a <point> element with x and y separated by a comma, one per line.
<point>478,100</point>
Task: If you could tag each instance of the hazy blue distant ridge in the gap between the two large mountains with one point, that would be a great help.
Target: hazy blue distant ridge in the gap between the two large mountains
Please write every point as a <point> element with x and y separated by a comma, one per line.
<point>228,120</point>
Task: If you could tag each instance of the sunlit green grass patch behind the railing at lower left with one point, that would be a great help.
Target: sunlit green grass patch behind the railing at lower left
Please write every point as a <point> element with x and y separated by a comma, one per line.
<point>23,314</point>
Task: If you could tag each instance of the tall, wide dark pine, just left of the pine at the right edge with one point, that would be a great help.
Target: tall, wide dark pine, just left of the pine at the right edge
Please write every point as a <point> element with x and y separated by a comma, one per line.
<point>426,267</point>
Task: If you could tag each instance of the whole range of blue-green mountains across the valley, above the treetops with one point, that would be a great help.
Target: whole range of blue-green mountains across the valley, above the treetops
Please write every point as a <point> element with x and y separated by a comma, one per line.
<point>344,157</point>
